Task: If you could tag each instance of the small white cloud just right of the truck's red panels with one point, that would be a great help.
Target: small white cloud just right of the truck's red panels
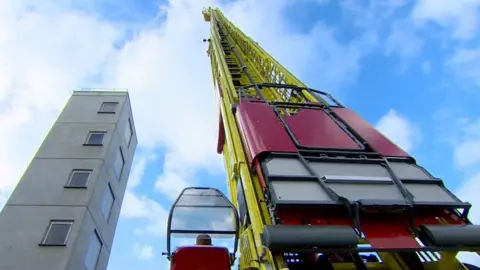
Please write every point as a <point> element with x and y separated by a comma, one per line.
<point>400,130</point>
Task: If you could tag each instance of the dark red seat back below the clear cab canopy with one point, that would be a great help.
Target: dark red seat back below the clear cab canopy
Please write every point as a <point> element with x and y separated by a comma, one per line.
<point>200,257</point>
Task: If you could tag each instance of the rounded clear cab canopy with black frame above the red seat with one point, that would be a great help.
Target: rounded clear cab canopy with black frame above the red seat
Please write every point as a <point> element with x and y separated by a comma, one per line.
<point>202,210</point>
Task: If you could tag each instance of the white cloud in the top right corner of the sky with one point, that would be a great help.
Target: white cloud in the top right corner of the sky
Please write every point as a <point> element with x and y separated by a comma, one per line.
<point>461,16</point>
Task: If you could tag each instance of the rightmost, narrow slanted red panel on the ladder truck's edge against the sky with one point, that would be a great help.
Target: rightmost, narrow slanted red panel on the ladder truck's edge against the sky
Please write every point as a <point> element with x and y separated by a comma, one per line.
<point>379,142</point>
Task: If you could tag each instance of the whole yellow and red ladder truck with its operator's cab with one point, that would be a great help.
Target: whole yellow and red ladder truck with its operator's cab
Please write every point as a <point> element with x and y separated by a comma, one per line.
<point>312,184</point>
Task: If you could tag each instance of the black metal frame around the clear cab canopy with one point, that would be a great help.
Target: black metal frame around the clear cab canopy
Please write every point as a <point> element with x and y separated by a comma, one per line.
<point>170,231</point>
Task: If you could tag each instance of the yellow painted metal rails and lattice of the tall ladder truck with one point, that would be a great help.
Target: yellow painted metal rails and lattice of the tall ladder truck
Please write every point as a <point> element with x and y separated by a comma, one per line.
<point>263,68</point>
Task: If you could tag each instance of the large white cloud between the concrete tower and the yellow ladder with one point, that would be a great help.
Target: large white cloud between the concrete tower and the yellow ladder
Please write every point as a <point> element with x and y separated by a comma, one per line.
<point>167,72</point>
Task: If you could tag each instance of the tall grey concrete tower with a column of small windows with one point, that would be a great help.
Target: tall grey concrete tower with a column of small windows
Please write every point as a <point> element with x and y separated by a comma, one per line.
<point>64,211</point>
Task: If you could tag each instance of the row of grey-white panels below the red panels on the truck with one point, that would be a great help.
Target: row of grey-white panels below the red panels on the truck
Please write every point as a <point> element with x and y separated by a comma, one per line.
<point>353,181</point>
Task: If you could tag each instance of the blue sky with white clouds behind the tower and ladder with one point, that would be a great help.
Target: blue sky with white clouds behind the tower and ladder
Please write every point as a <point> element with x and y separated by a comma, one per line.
<point>410,67</point>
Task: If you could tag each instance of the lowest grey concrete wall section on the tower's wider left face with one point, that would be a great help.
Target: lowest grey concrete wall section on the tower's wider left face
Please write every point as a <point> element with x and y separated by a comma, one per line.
<point>23,228</point>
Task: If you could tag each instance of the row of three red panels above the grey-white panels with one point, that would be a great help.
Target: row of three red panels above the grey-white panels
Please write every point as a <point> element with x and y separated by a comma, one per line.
<point>263,132</point>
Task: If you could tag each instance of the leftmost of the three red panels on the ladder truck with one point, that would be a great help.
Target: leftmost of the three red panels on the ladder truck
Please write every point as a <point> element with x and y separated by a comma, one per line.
<point>262,131</point>
